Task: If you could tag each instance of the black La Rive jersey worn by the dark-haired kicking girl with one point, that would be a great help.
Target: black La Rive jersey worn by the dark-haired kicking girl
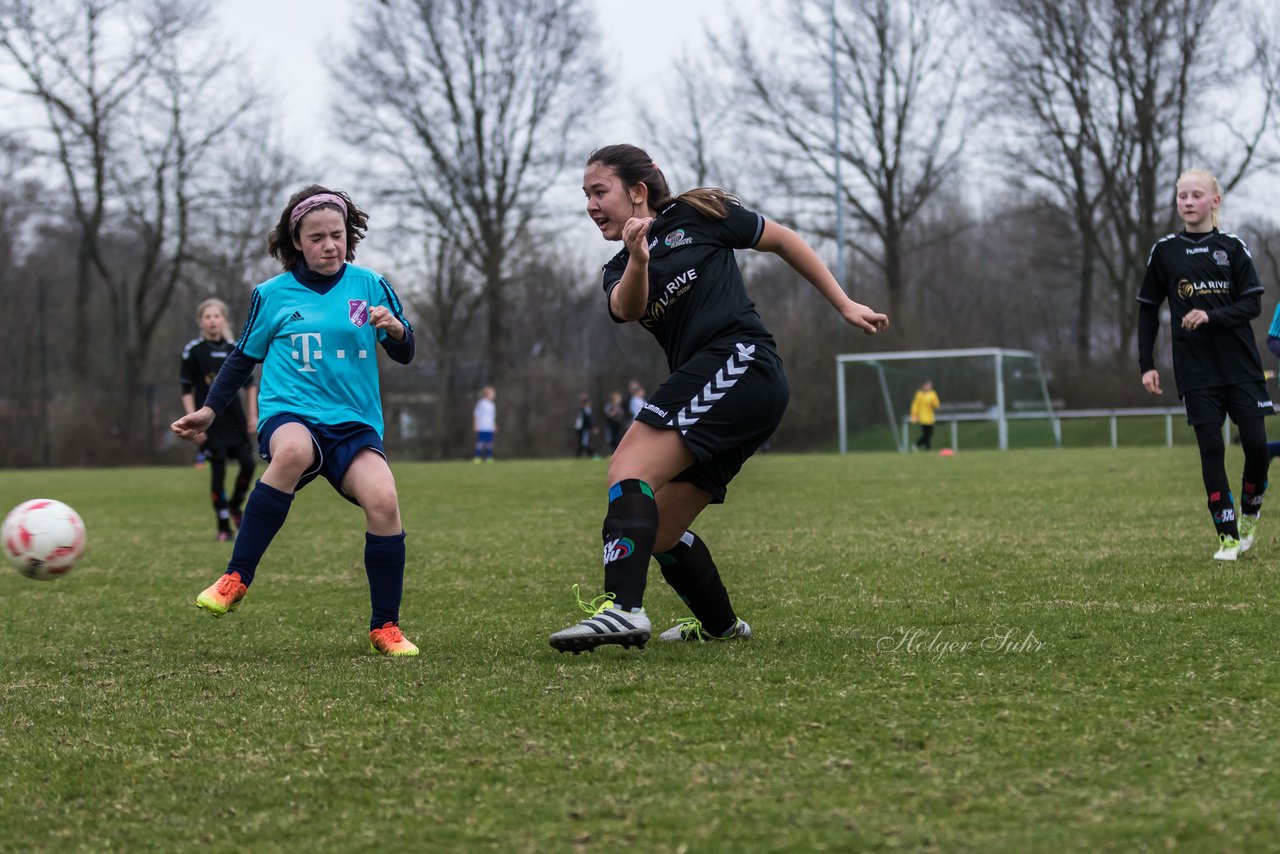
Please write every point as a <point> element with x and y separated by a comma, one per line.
<point>697,295</point>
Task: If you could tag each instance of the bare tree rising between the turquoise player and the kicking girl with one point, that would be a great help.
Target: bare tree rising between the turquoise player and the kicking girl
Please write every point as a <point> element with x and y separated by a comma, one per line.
<point>473,106</point>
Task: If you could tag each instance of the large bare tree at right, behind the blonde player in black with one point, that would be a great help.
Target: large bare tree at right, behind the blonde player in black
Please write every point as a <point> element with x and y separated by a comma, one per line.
<point>1109,101</point>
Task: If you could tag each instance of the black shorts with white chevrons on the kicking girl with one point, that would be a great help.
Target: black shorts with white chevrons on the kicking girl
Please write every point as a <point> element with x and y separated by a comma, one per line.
<point>725,401</point>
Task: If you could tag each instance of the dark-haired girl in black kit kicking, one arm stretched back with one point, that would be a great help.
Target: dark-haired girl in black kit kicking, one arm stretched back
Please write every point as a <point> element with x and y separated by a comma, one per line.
<point>678,277</point>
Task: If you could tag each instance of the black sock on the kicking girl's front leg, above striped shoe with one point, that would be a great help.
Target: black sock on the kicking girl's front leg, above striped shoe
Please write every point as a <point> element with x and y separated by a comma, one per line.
<point>629,532</point>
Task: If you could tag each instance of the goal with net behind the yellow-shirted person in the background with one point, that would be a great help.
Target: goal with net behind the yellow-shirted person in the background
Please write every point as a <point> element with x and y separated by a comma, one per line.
<point>986,395</point>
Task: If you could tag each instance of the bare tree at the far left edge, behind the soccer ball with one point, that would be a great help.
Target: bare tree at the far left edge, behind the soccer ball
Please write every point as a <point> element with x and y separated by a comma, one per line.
<point>132,113</point>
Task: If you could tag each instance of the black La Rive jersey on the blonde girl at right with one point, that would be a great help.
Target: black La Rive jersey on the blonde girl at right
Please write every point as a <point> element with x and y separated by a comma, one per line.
<point>1209,272</point>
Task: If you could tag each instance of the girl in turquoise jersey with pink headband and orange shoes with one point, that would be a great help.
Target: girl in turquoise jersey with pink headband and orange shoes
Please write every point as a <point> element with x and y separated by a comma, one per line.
<point>316,328</point>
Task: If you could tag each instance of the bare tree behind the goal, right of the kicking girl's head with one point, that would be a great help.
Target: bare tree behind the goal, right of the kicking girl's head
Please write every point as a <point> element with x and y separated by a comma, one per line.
<point>899,79</point>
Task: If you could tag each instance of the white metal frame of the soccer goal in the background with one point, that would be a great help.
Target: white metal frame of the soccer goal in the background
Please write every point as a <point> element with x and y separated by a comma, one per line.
<point>1000,417</point>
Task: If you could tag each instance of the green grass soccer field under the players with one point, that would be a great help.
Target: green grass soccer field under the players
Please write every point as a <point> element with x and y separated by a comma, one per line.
<point>996,652</point>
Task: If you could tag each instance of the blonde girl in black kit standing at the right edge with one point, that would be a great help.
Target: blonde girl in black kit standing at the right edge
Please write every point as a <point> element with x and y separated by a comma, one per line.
<point>1214,293</point>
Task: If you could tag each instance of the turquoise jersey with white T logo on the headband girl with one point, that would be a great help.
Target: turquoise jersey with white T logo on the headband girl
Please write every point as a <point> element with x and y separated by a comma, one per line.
<point>319,350</point>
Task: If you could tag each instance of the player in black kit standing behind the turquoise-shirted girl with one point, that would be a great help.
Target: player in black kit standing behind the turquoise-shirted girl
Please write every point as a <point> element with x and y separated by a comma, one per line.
<point>230,436</point>
